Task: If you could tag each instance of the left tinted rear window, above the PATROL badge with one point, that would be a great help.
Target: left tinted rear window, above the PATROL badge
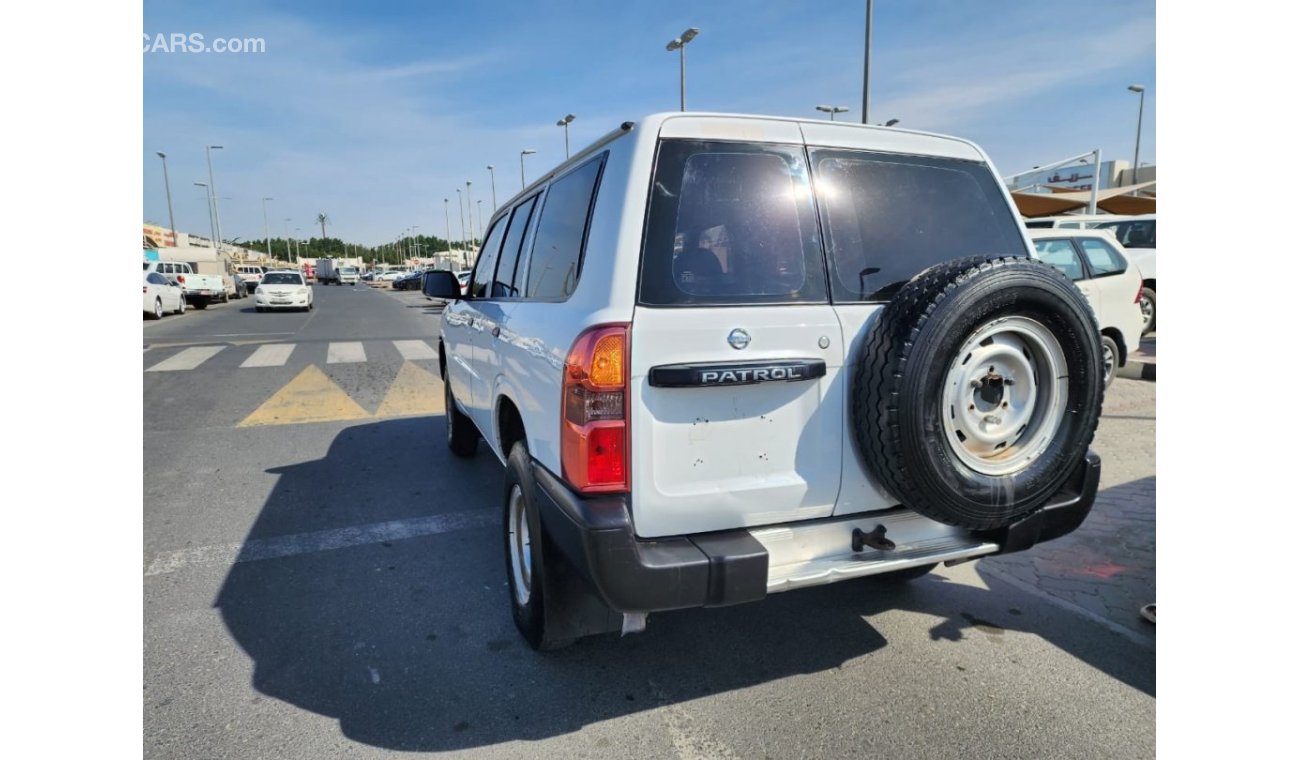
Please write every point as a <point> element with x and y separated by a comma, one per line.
<point>731,224</point>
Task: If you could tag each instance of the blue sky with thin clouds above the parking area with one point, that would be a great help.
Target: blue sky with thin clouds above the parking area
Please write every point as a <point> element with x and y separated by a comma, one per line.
<point>375,112</point>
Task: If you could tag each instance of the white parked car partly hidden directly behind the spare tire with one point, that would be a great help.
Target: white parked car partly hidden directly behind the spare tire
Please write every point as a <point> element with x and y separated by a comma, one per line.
<point>1112,284</point>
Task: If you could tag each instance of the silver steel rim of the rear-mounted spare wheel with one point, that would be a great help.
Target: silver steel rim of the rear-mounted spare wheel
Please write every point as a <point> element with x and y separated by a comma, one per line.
<point>1006,396</point>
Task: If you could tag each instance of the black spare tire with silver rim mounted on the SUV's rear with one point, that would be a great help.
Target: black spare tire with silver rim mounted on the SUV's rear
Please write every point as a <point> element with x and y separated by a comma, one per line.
<point>980,390</point>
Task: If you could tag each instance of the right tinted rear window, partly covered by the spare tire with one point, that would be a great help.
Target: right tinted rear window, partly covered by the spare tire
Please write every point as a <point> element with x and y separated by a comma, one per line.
<point>890,218</point>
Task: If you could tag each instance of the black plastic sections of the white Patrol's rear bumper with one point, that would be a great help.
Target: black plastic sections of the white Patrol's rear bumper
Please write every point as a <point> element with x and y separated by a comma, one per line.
<point>717,570</point>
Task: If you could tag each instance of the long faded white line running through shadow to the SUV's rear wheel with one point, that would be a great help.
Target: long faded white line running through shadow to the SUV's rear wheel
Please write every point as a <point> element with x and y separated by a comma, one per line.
<point>302,544</point>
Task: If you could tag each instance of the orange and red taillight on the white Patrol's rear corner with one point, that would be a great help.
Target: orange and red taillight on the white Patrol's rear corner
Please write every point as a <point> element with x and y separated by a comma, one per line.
<point>595,427</point>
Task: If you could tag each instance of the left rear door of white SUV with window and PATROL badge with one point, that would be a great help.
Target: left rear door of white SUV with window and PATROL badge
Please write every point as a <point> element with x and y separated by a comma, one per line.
<point>738,409</point>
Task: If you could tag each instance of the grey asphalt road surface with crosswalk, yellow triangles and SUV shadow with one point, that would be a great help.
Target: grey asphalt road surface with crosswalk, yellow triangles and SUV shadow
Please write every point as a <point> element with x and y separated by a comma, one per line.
<point>323,579</point>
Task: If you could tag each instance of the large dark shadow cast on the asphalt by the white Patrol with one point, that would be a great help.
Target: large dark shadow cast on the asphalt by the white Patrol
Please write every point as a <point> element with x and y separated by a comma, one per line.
<point>409,644</point>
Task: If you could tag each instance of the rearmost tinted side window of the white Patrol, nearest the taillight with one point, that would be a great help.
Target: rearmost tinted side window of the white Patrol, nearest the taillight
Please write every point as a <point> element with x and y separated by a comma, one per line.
<point>553,270</point>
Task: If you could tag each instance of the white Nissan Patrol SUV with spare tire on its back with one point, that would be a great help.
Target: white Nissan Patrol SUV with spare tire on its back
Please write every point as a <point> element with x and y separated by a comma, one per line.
<point>725,357</point>
